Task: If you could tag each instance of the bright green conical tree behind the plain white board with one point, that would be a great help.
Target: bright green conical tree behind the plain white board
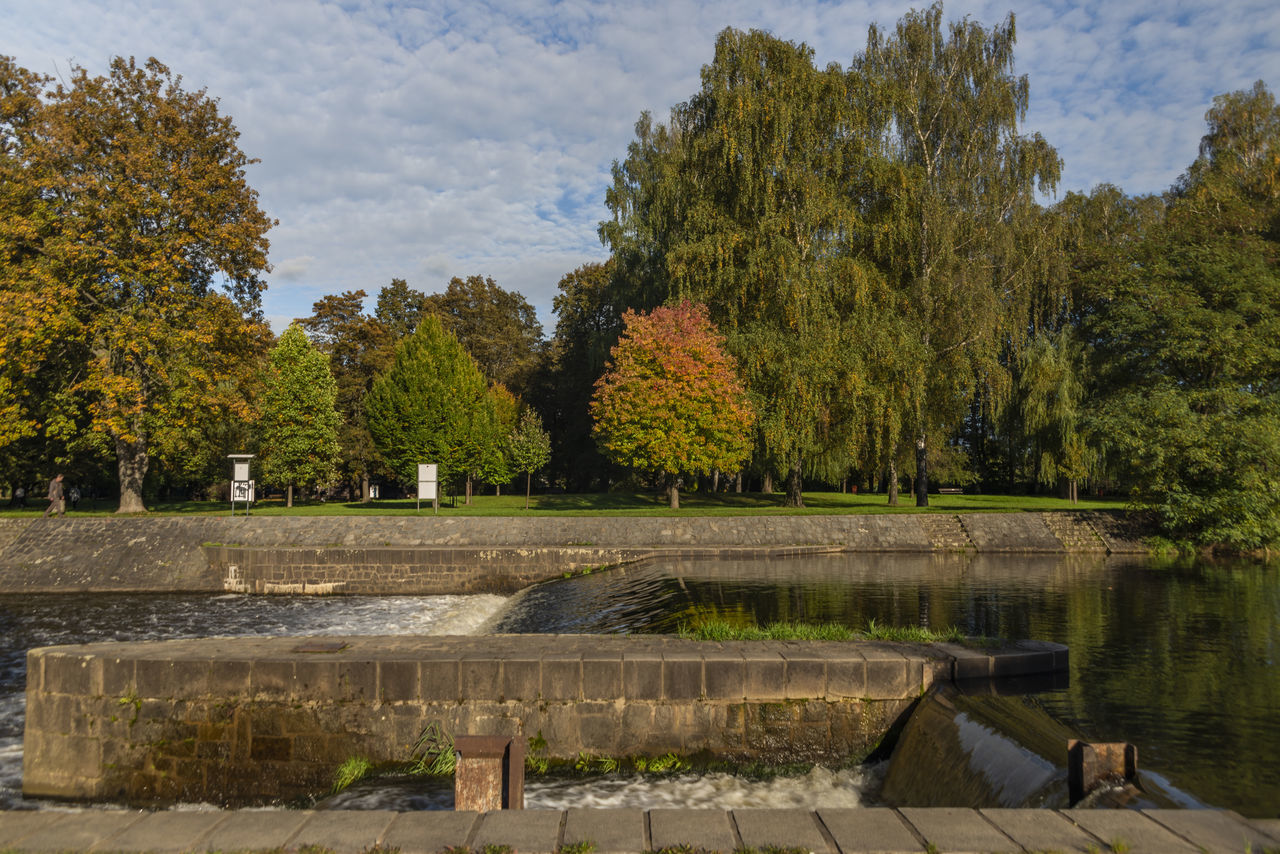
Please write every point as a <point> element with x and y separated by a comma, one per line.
<point>429,407</point>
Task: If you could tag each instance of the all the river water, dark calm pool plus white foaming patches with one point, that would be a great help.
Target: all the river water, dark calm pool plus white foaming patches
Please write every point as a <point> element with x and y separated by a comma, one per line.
<point>1181,659</point>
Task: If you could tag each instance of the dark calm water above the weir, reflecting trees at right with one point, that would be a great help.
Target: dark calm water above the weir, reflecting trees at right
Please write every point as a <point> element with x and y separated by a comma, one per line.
<point>1181,659</point>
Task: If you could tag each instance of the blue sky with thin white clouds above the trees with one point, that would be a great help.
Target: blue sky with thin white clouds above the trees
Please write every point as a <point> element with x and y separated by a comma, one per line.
<point>431,140</point>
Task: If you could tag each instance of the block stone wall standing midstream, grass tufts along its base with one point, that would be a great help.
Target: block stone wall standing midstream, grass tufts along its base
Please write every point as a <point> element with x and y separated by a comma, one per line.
<point>252,720</point>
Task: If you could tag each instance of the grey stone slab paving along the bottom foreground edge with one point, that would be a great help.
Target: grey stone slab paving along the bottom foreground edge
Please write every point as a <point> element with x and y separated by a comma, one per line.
<point>630,832</point>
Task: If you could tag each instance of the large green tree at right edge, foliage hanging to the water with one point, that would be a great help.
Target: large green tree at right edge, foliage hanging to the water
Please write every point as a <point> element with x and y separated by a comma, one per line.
<point>1186,340</point>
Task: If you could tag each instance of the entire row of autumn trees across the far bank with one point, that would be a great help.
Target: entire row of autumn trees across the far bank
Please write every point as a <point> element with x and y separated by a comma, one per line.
<point>845,277</point>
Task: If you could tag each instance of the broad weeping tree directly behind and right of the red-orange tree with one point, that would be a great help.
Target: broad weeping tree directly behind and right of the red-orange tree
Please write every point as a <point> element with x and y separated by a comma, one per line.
<point>743,204</point>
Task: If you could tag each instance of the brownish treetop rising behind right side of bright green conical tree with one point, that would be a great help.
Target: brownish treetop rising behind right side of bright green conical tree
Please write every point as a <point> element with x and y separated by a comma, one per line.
<point>497,327</point>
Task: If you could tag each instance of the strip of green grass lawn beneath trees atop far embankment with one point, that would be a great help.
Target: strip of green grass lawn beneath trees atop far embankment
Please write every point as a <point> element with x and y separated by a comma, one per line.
<point>611,505</point>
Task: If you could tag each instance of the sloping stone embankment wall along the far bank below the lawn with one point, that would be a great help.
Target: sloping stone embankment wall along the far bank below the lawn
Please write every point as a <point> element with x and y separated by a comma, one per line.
<point>469,554</point>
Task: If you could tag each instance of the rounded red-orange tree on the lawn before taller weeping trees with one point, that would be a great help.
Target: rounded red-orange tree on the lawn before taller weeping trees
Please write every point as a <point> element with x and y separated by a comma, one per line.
<point>671,401</point>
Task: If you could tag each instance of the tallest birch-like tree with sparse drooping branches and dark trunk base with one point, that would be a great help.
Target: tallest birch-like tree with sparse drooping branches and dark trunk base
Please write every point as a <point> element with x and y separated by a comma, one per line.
<point>957,231</point>
